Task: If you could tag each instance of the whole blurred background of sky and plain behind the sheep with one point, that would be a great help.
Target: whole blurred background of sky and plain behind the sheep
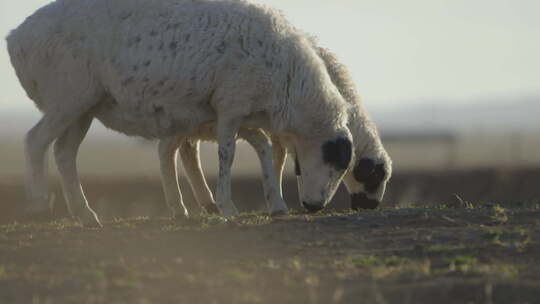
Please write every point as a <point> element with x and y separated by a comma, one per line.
<point>453,85</point>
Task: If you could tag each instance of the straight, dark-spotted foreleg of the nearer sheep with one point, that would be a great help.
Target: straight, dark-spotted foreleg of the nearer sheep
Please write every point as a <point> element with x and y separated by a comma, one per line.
<point>226,134</point>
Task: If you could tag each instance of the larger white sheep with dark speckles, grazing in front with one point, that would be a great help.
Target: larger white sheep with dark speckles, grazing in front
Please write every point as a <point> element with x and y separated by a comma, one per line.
<point>169,68</point>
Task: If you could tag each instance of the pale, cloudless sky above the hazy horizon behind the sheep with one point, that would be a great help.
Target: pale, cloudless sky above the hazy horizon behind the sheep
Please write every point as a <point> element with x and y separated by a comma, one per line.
<point>398,51</point>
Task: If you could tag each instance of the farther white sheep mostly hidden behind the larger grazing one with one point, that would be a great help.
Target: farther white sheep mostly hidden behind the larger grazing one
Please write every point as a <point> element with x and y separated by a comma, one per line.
<point>366,181</point>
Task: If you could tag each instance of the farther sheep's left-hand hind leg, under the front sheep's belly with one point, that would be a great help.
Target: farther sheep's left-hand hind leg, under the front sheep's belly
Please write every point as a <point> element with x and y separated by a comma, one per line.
<point>168,150</point>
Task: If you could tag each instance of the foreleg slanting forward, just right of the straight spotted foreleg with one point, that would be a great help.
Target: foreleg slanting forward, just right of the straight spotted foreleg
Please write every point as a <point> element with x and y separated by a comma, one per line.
<point>261,143</point>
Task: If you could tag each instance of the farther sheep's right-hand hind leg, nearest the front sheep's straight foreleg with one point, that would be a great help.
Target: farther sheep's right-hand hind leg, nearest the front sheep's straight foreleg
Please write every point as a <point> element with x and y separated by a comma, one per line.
<point>189,152</point>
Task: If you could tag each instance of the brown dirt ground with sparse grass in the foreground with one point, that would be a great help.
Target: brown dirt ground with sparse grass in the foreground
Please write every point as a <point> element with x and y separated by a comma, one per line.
<point>471,254</point>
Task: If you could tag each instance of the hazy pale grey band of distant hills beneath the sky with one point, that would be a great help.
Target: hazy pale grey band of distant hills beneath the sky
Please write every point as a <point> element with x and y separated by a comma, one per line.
<point>506,115</point>
